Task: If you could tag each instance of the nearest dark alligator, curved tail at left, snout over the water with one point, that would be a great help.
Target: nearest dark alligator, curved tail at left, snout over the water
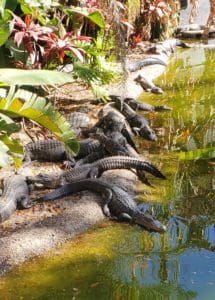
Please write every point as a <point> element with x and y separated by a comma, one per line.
<point>118,204</point>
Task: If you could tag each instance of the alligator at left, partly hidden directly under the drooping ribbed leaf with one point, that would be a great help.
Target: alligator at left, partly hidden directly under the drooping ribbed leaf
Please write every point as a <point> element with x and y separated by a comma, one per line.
<point>48,150</point>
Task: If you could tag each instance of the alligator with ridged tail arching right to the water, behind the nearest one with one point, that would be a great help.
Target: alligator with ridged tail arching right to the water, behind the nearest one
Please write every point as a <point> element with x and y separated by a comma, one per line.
<point>94,170</point>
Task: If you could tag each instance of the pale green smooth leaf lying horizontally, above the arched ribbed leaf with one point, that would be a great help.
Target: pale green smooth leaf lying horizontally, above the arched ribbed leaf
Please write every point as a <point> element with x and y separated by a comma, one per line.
<point>33,77</point>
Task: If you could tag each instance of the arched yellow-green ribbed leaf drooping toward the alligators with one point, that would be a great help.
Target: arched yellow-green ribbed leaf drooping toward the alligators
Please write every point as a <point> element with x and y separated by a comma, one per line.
<point>27,104</point>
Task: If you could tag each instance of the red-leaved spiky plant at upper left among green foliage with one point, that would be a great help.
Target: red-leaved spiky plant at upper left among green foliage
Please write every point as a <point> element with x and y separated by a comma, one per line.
<point>42,44</point>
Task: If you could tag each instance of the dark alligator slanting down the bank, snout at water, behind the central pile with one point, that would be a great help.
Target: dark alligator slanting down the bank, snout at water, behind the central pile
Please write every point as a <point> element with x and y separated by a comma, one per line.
<point>138,123</point>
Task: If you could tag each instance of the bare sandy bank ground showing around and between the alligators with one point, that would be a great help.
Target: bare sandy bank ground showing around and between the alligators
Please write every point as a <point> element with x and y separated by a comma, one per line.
<point>34,231</point>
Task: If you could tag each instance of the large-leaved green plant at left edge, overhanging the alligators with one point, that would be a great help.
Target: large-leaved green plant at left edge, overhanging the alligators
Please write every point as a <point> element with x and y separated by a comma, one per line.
<point>16,102</point>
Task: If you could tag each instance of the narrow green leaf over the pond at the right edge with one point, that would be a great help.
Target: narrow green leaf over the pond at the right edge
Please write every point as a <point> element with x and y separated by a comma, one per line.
<point>206,153</point>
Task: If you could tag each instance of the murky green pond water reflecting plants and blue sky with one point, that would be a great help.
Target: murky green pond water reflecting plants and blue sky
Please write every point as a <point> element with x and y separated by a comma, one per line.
<point>119,261</point>
